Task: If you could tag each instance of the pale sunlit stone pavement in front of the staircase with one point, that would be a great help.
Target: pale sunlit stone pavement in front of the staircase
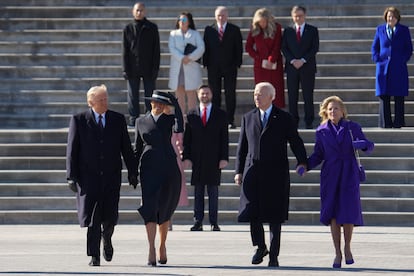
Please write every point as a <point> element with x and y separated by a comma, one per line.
<point>305,250</point>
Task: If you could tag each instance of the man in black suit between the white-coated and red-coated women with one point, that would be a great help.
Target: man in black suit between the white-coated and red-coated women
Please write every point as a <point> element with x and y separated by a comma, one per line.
<point>222,57</point>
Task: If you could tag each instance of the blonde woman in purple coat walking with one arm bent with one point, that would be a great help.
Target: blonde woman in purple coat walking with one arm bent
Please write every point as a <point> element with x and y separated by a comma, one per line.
<point>337,138</point>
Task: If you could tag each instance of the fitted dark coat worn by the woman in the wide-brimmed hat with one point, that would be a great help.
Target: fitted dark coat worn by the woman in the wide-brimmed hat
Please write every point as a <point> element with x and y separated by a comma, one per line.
<point>160,175</point>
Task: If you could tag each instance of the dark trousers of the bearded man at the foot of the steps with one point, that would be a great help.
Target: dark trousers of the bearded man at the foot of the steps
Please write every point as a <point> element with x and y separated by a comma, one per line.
<point>212,191</point>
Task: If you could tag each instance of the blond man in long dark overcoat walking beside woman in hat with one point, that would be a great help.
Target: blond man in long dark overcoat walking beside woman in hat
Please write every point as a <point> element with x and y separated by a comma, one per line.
<point>96,140</point>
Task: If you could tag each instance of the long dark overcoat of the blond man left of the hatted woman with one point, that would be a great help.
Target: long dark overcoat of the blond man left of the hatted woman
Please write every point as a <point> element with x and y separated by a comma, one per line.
<point>93,159</point>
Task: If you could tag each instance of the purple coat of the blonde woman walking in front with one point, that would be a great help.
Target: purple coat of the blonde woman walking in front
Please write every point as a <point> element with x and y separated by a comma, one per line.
<point>339,190</point>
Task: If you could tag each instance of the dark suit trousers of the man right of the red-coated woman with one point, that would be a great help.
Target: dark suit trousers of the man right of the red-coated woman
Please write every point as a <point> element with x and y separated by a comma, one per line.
<point>306,80</point>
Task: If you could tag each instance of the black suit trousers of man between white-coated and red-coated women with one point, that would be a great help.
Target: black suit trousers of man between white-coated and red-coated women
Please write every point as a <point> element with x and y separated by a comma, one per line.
<point>229,77</point>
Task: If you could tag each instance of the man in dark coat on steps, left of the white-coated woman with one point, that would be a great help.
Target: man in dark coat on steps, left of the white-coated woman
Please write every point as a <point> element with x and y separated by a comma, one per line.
<point>141,59</point>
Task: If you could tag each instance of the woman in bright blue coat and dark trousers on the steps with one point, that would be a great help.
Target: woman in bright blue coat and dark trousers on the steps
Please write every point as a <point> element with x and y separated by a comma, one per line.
<point>391,50</point>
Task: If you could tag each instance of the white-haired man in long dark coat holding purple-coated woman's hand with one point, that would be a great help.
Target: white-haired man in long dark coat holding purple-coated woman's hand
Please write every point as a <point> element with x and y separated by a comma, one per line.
<point>262,168</point>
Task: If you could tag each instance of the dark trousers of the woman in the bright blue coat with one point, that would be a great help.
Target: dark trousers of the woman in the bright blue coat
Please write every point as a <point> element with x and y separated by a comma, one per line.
<point>385,119</point>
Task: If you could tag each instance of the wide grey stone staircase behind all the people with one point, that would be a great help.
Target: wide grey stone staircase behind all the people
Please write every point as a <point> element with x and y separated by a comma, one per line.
<point>51,52</point>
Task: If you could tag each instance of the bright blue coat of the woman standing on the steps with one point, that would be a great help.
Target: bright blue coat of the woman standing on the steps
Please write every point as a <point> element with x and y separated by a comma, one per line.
<point>391,57</point>
